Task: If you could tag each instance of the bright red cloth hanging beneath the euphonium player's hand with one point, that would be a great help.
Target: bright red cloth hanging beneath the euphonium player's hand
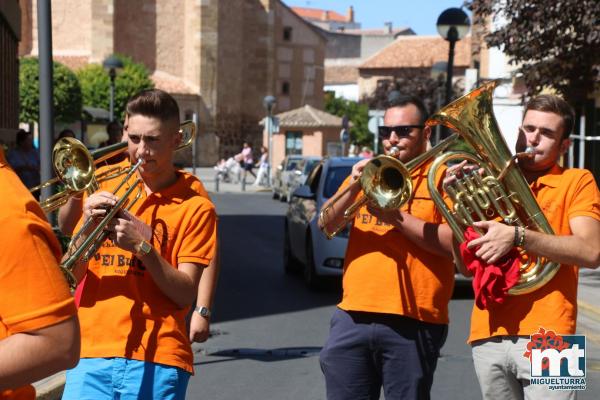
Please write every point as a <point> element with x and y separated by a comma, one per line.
<point>491,282</point>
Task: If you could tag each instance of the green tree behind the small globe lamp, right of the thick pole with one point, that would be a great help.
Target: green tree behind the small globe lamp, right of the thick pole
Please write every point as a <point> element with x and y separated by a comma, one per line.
<point>95,84</point>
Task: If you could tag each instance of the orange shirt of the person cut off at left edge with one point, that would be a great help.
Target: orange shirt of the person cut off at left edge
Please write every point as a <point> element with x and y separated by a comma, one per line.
<point>33,291</point>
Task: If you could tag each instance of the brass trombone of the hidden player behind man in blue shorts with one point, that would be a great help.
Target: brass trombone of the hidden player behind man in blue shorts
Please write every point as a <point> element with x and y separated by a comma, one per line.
<point>75,166</point>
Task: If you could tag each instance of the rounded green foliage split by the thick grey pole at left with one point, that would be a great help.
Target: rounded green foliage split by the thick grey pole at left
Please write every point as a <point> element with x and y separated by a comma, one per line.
<point>66,91</point>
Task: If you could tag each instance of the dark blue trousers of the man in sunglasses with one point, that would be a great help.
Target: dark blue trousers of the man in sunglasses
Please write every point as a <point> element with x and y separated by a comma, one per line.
<point>366,351</point>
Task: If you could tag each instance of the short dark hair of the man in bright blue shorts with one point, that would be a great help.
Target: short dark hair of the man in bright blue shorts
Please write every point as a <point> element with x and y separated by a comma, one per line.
<point>154,103</point>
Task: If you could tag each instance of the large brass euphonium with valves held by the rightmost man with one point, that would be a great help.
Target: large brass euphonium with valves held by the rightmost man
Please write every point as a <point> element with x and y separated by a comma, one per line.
<point>502,192</point>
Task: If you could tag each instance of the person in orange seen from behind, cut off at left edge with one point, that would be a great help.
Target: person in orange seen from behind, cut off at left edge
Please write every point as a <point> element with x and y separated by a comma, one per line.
<point>39,329</point>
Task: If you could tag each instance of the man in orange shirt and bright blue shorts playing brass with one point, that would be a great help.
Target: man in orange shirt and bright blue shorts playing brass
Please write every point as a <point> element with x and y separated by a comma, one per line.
<point>140,284</point>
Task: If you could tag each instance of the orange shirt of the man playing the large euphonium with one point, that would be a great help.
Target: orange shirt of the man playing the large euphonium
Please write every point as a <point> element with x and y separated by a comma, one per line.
<point>562,195</point>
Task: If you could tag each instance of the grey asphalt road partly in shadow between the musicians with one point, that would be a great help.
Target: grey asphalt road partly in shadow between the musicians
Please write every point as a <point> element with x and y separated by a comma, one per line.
<point>268,328</point>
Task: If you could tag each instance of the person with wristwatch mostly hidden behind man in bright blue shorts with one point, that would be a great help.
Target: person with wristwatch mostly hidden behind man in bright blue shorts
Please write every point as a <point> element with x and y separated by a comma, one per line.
<point>70,213</point>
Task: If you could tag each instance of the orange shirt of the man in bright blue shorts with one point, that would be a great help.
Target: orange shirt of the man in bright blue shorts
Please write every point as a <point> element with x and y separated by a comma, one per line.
<point>122,311</point>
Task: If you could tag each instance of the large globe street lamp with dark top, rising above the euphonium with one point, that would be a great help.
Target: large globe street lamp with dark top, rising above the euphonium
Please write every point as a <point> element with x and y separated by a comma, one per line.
<point>453,24</point>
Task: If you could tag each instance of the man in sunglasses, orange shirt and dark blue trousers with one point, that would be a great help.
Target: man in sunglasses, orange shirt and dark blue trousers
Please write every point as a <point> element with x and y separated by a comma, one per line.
<point>397,282</point>
